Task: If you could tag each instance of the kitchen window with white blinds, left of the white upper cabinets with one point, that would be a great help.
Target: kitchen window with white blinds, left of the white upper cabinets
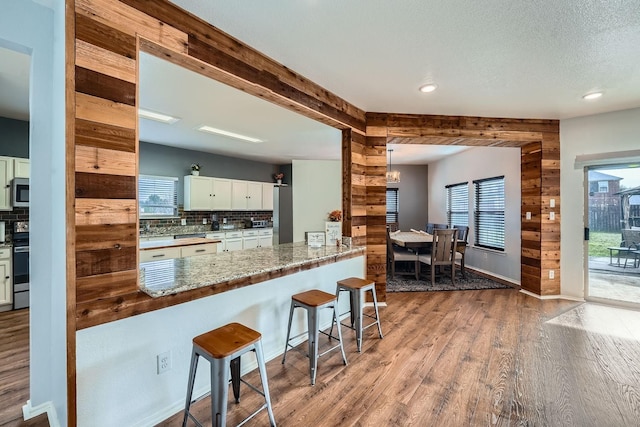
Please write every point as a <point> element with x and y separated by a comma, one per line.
<point>157,196</point>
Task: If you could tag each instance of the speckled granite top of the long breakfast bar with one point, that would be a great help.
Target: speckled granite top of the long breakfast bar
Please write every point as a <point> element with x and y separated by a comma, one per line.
<point>171,276</point>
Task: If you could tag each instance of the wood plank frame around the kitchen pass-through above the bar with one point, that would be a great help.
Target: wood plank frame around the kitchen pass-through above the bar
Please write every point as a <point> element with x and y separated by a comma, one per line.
<point>106,37</point>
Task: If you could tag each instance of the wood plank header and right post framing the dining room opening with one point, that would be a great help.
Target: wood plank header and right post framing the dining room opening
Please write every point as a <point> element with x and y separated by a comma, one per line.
<point>539,142</point>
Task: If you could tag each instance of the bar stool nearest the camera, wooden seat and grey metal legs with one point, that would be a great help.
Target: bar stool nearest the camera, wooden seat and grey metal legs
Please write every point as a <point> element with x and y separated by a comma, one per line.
<point>222,347</point>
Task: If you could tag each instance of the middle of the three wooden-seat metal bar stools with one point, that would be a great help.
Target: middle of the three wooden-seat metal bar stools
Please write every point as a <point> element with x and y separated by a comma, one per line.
<point>313,301</point>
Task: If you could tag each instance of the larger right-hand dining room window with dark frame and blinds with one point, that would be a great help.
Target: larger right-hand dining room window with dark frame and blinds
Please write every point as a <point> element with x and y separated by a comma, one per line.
<point>489,213</point>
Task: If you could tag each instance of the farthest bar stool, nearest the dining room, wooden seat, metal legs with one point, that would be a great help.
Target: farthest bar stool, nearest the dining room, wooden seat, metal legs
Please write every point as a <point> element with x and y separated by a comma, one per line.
<point>357,288</point>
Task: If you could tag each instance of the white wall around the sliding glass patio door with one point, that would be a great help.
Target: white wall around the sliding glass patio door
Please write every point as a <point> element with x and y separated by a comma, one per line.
<point>591,135</point>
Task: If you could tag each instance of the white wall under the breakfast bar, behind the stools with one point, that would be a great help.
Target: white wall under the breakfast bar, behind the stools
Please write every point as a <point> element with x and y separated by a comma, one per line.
<point>117,380</point>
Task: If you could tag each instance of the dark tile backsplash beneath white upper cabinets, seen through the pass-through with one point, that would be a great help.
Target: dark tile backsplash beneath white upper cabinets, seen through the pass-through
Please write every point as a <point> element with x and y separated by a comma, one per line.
<point>196,217</point>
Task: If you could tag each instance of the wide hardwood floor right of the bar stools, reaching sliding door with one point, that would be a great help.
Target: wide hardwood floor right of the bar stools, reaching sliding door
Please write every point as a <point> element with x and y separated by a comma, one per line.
<point>490,357</point>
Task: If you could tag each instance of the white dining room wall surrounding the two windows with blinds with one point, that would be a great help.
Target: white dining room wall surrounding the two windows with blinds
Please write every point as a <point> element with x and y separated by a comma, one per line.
<point>478,163</point>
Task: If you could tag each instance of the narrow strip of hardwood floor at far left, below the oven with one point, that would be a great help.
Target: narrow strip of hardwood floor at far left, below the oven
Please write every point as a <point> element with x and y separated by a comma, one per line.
<point>14,370</point>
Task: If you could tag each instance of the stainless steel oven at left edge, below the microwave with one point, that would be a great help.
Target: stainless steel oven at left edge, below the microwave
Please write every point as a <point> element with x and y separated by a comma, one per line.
<point>20,264</point>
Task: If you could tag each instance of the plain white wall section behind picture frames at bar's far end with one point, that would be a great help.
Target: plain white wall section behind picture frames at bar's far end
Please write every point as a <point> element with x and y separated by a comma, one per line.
<point>317,190</point>
